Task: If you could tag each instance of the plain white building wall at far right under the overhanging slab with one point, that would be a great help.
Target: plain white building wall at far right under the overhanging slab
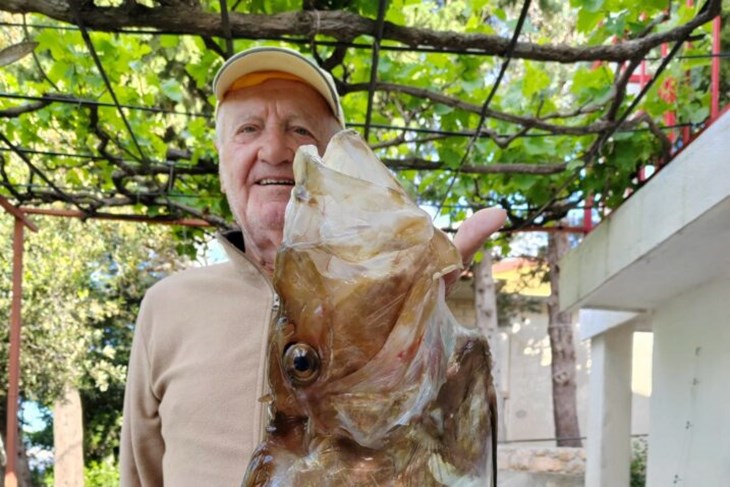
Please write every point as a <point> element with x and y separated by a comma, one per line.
<point>690,431</point>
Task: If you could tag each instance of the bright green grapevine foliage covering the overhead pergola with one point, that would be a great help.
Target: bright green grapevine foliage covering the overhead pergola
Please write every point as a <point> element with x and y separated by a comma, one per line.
<point>168,168</point>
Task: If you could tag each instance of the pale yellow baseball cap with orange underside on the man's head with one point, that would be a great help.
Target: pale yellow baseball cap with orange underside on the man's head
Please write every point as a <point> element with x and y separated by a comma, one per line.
<point>256,65</point>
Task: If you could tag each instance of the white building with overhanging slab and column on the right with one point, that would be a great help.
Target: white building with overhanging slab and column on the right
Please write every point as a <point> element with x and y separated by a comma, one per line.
<point>661,263</point>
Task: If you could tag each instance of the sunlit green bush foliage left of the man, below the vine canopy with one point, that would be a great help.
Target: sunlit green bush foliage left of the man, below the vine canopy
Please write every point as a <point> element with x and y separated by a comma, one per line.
<point>83,282</point>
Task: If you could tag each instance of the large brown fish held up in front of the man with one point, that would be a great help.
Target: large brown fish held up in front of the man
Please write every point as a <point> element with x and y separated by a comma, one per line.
<point>373,381</point>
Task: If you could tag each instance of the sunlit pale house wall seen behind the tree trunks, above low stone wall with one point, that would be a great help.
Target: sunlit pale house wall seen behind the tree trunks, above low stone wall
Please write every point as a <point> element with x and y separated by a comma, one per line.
<point>525,360</point>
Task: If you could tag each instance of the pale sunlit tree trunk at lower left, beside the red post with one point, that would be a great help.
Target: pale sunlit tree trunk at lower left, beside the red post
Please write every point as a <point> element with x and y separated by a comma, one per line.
<point>68,440</point>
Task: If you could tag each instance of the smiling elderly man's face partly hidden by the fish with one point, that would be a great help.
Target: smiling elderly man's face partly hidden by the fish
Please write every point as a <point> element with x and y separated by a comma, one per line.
<point>259,131</point>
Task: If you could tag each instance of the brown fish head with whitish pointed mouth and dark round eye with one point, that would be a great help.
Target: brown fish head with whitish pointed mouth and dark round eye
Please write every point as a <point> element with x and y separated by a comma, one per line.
<point>357,260</point>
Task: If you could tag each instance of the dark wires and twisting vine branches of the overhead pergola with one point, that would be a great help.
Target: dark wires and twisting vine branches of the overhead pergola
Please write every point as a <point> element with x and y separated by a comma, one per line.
<point>308,27</point>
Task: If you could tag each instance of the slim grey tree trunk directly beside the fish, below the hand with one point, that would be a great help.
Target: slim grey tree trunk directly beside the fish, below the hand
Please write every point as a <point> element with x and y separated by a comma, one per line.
<point>485,301</point>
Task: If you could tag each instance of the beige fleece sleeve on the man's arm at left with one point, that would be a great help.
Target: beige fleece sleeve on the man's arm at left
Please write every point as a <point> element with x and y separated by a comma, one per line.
<point>142,446</point>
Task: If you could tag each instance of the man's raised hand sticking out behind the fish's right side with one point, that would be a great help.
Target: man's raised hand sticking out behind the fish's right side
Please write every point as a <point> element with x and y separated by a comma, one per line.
<point>471,236</point>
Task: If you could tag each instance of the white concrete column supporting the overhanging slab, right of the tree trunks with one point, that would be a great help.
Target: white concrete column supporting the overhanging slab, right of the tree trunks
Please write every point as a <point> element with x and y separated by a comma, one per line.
<point>608,441</point>
